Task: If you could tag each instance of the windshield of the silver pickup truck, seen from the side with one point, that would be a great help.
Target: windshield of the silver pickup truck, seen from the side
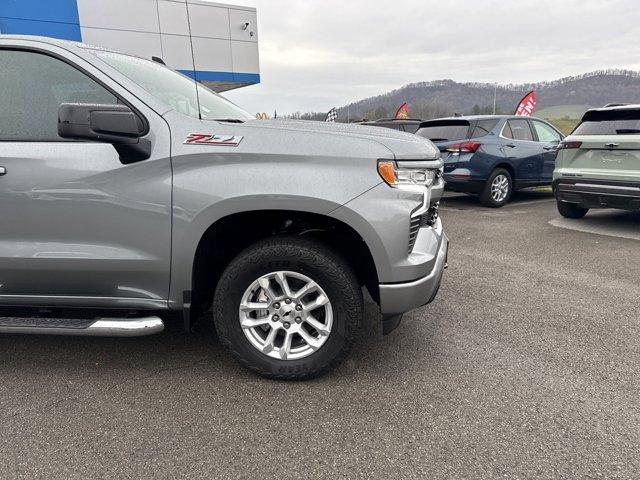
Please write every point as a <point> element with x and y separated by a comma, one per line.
<point>174,89</point>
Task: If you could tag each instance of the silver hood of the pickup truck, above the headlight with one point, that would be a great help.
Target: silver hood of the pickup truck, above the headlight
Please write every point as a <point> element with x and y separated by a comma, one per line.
<point>403,146</point>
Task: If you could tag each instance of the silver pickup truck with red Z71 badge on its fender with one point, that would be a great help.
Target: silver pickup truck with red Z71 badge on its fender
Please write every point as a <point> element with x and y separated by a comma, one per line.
<point>129,197</point>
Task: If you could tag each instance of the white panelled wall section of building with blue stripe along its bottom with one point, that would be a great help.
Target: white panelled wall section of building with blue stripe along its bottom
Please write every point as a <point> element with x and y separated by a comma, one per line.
<point>161,28</point>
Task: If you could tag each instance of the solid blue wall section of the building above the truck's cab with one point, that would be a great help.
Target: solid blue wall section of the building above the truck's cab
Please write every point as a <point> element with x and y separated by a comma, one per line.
<point>48,18</point>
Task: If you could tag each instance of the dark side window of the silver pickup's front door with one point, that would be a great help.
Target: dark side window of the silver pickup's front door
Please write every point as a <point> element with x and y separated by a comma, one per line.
<point>33,86</point>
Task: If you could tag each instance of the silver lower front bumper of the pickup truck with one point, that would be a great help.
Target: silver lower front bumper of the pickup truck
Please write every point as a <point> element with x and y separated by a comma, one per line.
<point>397,298</point>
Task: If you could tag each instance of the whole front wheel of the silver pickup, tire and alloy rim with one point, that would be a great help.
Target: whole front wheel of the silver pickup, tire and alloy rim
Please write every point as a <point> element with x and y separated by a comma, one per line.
<point>288,308</point>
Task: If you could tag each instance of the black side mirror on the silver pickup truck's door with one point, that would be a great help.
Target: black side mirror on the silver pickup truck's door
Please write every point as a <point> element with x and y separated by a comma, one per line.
<point>115,124</point>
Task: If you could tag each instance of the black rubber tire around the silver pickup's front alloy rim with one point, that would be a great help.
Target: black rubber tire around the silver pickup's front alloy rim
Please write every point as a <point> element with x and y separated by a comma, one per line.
<point>306,257</point>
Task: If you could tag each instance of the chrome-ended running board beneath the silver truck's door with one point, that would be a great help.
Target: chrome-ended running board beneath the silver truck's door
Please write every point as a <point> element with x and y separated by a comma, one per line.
<point>93,327</point>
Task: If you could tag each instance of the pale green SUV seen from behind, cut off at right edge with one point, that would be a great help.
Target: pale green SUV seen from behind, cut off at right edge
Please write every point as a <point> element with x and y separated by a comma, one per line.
<point>598,165</point>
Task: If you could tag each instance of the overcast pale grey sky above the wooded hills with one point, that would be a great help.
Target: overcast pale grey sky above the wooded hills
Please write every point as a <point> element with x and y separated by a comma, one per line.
<point>316,54</point>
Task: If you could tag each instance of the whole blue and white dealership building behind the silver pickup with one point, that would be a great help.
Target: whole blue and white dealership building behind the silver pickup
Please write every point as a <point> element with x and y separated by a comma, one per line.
<point>214,43</point>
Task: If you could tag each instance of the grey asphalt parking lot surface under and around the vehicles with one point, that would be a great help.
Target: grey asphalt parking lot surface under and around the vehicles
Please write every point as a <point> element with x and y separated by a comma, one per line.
<point>525,366</point>
